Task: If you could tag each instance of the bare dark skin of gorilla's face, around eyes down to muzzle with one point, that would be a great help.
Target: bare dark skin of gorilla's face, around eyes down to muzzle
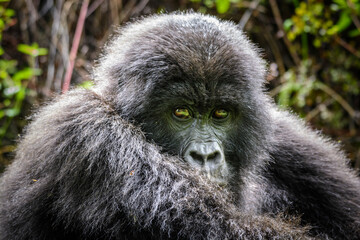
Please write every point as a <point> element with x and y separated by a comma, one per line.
<point>204,148</point>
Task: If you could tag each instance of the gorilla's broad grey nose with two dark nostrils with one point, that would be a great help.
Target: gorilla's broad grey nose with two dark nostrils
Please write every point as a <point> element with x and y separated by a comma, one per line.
<point>204,153</point>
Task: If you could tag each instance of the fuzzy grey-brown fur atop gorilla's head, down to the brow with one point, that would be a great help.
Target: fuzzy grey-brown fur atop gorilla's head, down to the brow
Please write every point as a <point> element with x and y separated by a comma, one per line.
<point>211,56</point>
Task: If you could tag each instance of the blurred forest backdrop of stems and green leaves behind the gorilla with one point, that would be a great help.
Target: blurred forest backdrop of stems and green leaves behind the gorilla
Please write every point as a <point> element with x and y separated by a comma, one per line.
<point>312,48</point>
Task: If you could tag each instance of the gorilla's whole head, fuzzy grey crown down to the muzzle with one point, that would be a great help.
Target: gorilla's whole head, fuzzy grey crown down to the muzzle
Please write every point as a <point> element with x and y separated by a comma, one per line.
<point>198,90</point>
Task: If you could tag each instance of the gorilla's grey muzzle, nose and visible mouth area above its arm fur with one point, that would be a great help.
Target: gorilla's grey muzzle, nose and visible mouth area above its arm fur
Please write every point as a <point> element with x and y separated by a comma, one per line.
<point>209,158</point>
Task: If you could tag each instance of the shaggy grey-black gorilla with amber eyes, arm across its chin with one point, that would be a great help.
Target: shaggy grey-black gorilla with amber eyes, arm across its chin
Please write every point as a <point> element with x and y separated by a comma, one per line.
<point>177,139</point>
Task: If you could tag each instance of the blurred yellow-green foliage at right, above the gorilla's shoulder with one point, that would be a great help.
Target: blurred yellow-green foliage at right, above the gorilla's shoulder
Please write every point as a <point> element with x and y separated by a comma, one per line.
<point>326,68</point>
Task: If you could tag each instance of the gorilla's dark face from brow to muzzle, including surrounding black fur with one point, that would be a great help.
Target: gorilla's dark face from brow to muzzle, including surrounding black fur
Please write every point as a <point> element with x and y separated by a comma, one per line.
<point>196,128</point>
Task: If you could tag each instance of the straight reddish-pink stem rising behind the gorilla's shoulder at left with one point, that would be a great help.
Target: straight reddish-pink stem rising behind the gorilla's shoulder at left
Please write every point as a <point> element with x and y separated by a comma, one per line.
<point>75,45</point>
